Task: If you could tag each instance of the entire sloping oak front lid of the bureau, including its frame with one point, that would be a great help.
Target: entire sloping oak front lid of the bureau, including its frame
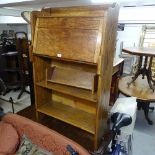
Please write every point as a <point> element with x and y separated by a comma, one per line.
<point>73,38</point>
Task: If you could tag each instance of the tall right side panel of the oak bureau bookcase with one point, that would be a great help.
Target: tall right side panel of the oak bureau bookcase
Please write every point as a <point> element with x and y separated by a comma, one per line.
<point>105,77</point>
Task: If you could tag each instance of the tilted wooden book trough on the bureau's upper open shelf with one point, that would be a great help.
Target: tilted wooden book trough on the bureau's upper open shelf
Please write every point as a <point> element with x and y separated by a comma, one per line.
<point>79,79</point>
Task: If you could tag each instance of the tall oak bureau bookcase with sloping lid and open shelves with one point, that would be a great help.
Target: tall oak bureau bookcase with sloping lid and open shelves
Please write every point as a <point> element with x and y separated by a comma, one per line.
<point>72,54</point>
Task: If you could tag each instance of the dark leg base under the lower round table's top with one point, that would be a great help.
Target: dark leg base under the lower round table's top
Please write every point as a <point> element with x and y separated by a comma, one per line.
<point>145,106</point>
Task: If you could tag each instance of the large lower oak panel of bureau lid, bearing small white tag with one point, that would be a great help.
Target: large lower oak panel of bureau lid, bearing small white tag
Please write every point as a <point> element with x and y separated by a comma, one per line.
<point>70,44</point>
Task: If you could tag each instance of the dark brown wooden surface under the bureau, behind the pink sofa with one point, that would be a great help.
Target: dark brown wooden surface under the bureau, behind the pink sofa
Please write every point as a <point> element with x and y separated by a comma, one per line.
<point>76,134</point>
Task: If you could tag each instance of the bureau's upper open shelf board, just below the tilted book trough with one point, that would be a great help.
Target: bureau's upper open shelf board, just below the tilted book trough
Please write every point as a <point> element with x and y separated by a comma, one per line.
<point>68,90</point>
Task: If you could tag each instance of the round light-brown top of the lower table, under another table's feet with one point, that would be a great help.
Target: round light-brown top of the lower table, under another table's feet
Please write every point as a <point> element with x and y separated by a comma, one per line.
<point>140,88</point>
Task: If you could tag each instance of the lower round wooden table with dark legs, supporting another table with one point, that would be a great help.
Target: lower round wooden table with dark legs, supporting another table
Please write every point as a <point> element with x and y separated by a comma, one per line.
<point>141,90</point>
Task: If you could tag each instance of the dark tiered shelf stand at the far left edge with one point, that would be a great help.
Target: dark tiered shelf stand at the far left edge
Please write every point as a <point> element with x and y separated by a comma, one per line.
<point>9,64</point>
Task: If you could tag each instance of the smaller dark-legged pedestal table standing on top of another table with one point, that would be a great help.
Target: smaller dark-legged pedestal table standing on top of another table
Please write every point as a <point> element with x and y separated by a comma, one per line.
<point>144,65</point>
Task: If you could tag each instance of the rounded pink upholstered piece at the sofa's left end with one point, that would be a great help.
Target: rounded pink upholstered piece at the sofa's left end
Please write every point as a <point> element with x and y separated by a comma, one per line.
<point>9,139</point>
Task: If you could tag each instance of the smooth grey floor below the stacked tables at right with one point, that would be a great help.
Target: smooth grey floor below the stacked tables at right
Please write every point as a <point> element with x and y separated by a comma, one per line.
<point>144,135</point>
